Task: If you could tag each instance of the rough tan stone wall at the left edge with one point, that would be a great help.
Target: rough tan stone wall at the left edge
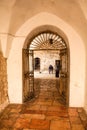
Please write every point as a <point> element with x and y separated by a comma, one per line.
<point>3,82</point>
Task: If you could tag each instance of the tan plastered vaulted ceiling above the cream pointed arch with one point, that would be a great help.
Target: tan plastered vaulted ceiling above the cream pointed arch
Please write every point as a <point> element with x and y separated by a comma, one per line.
<point>13,13</point>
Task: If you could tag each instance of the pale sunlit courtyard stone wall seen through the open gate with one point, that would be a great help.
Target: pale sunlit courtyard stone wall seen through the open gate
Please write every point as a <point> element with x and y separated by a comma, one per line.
<point>47,58</point>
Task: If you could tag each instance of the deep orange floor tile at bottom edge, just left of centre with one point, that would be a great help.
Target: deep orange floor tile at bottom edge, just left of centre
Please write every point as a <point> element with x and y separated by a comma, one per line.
<point>40,124</point>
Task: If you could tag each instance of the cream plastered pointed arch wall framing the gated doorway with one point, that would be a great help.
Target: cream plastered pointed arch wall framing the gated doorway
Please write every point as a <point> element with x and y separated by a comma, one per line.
<point>77,59</point>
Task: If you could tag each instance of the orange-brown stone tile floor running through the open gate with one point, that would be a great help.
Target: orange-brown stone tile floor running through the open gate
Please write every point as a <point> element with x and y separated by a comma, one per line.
<point>46,112</point>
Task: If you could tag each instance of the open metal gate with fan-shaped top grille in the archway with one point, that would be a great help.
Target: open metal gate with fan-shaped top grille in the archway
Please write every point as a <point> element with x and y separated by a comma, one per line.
<point>45,41</point>
